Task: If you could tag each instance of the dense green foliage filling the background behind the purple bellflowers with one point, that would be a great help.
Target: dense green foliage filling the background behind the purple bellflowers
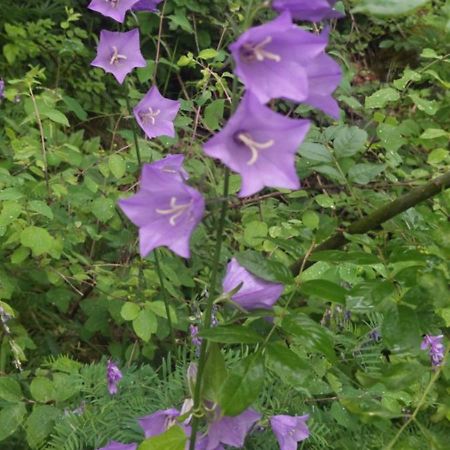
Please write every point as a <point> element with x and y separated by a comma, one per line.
<point>74,284</point>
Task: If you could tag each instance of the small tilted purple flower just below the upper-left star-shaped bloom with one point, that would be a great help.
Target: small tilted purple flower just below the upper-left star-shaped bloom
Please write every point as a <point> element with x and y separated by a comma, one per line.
<point>155,114</point>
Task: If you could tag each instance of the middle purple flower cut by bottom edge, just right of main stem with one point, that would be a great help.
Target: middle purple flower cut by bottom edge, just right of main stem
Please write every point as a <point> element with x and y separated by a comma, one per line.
<point>229,430</point>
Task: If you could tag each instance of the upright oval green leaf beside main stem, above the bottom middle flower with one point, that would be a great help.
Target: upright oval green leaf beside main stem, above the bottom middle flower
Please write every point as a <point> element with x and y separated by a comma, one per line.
<point>243,385</point>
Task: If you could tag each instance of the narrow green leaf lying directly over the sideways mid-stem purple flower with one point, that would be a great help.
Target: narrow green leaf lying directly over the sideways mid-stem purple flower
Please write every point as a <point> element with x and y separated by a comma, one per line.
<point>263,268</point>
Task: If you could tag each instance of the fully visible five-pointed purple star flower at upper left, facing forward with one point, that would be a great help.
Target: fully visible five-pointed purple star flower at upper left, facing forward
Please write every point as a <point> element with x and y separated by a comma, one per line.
<point>119,53</point>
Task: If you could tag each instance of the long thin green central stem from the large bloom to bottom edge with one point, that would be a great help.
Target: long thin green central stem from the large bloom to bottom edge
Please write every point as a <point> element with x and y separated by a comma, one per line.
<point>209,306</point>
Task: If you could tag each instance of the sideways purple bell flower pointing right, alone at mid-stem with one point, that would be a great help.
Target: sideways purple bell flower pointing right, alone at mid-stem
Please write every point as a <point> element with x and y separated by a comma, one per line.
<point>255,293</point>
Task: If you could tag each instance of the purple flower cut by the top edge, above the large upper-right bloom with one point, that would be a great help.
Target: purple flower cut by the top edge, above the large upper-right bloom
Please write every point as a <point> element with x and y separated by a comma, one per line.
<point>312,10</point>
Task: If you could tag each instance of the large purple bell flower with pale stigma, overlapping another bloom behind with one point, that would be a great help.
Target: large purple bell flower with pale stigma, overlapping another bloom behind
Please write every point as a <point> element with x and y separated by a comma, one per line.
<point>271,59</point>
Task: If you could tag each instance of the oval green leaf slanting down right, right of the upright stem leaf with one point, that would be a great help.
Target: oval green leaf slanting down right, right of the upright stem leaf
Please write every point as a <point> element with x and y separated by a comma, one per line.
<point>287,365</point>
